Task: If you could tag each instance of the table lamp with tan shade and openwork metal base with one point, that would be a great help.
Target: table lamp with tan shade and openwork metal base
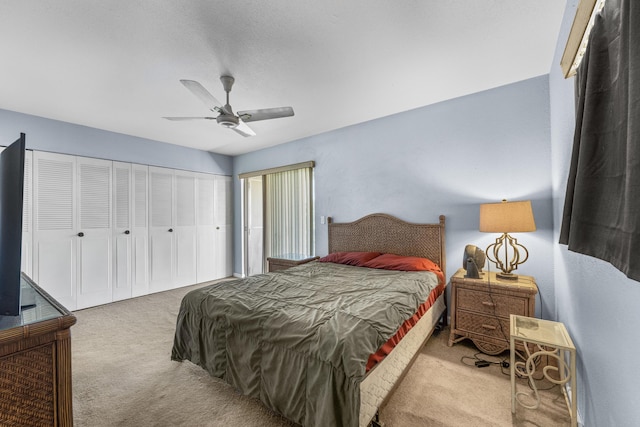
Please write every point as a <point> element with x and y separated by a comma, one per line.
<point>507,217</point>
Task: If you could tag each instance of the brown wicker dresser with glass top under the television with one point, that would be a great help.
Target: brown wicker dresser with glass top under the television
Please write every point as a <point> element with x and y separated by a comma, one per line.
<point>35,364</point>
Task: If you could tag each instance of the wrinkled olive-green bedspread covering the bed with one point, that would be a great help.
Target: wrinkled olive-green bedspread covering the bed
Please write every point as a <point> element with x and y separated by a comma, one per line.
<point>299,339</point>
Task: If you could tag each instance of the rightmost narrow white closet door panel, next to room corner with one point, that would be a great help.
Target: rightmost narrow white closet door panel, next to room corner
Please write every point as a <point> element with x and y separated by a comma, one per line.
<point>223,223</point>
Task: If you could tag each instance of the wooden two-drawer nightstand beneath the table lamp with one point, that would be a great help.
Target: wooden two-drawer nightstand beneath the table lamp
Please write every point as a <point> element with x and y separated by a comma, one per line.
<point>480,308</point>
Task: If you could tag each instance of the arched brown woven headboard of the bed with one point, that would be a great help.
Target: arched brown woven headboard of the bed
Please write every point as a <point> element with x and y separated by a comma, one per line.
<point>388,234</point>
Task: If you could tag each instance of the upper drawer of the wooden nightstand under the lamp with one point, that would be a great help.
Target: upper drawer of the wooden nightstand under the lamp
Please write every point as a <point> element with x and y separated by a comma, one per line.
<point>491,303</point>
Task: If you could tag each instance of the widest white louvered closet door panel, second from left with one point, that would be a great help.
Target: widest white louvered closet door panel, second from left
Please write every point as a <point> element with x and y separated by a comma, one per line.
<point>54,231</point>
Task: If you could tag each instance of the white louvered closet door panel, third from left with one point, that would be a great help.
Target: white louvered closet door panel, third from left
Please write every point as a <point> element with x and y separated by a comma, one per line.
<point>94,232</point>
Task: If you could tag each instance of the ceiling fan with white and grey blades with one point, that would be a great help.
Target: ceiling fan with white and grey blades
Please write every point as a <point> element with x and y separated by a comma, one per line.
<point>226,116</point>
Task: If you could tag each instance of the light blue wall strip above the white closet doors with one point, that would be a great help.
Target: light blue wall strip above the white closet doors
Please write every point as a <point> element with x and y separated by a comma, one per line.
<point>60,137</point>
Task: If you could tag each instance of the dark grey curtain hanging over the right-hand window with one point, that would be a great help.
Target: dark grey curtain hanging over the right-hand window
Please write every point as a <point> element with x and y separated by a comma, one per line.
<point>602,206</point>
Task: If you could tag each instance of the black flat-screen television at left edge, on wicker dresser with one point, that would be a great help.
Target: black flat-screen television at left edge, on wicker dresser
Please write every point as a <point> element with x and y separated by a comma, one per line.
<point>11,191</point>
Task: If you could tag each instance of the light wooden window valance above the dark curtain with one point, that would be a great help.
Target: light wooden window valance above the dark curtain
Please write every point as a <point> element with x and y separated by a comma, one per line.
<point>579,35</point>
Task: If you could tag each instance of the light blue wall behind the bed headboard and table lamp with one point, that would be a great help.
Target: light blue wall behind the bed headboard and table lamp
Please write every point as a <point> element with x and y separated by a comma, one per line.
<point>445,158</point>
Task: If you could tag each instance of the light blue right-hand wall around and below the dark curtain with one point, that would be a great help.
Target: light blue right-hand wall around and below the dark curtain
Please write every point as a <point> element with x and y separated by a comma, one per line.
<point>597,303</point>
